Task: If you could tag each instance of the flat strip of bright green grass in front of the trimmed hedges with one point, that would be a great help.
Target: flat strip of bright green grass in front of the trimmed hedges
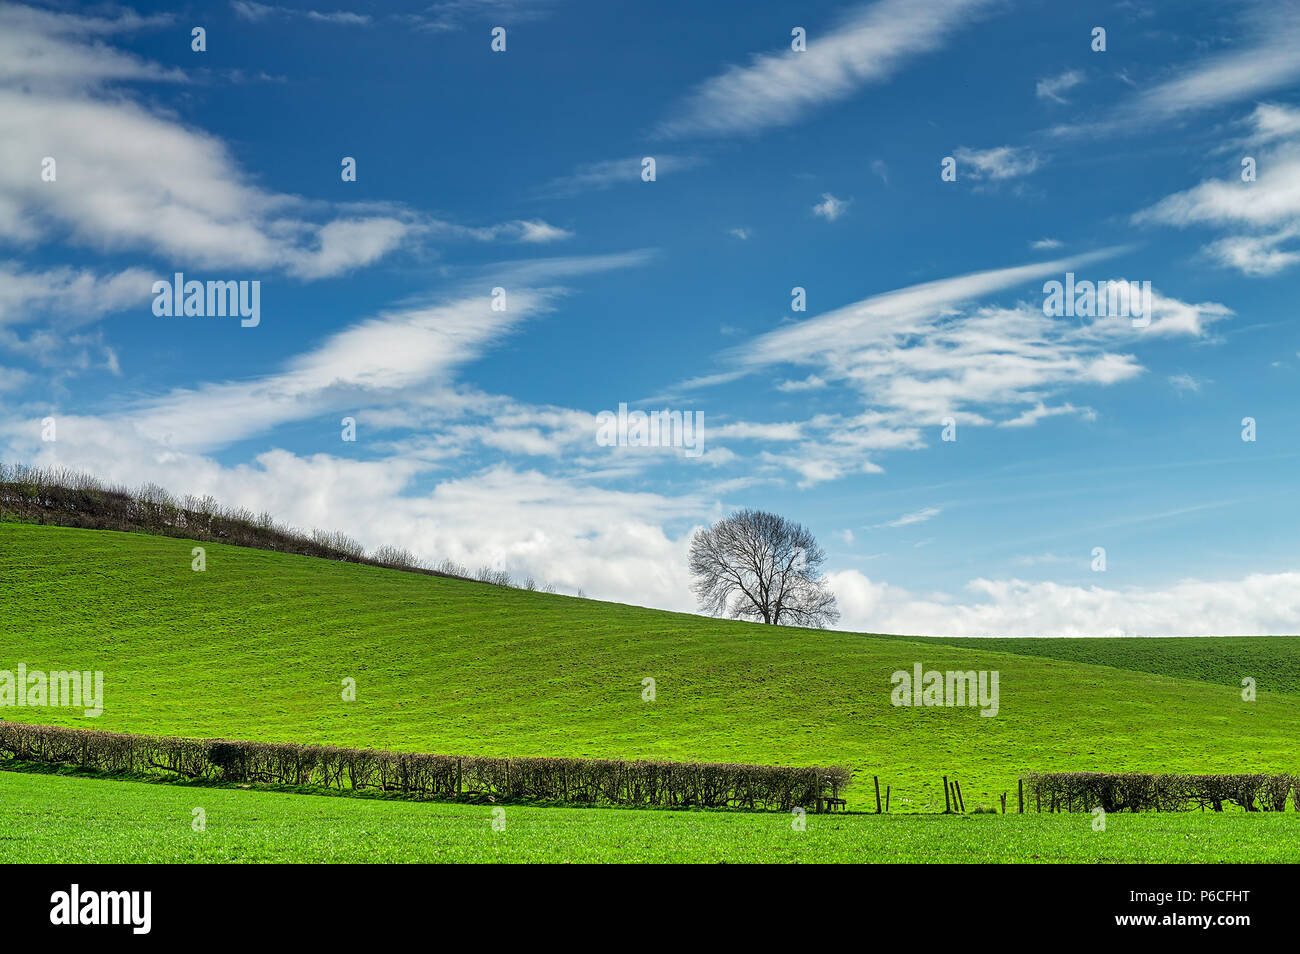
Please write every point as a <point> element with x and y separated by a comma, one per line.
<point>49,818</point>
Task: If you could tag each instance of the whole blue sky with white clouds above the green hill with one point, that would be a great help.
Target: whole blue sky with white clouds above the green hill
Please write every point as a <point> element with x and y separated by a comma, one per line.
<point>775,170</point>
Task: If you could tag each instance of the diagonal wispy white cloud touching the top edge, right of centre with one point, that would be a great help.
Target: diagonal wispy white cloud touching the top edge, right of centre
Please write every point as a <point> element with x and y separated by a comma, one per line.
<point>779,89</point>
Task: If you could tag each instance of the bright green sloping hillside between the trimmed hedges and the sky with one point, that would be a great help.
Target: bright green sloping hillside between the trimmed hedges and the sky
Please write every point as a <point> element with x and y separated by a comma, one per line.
<point>257,648</point>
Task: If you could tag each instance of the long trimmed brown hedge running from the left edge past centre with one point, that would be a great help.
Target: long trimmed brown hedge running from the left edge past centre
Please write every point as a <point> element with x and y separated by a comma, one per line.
<point>584,782</point>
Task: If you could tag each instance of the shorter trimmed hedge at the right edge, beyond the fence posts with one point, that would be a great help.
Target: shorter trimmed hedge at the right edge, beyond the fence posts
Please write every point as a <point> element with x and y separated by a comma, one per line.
<point>1143,792</point>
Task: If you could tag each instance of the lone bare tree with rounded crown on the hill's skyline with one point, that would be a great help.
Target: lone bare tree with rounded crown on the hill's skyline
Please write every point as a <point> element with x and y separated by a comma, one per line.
<point>757,566</point>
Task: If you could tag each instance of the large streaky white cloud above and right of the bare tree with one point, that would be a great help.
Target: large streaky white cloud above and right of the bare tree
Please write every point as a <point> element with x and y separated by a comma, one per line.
<point>922,354</point>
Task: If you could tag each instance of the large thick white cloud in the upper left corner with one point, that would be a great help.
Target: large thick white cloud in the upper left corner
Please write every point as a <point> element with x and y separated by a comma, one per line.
<point>131,179</point>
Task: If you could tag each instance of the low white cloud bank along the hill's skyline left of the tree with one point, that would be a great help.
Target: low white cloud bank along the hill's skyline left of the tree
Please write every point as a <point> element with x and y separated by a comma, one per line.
<point>570,532</point>
